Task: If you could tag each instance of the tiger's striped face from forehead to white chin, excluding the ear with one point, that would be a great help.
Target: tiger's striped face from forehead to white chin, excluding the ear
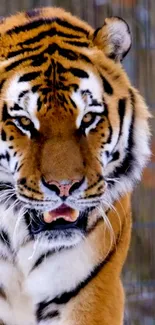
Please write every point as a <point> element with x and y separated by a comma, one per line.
<point>74,133</point>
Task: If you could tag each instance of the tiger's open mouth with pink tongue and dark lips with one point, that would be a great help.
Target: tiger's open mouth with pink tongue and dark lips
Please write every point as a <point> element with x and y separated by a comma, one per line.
<point>62,218</point>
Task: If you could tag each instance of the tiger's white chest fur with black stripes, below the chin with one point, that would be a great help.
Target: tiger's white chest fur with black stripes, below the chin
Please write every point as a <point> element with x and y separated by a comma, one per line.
<point>38,284</point>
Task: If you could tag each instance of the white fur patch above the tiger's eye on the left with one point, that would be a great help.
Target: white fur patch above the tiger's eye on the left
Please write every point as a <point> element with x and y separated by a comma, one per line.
<point>21,100</point>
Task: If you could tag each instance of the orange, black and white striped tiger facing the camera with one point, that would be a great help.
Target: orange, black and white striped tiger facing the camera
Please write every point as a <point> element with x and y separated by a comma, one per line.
<point>74,139</point>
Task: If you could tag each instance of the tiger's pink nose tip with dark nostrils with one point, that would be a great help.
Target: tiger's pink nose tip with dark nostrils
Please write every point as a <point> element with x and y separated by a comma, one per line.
<point>63,188</point>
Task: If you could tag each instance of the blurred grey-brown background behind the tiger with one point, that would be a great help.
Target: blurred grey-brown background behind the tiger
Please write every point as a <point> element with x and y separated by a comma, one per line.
<point>139,271</point>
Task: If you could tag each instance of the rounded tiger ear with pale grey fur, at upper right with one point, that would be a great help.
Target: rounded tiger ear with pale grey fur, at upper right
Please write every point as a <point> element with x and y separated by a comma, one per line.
<point>113,38</point>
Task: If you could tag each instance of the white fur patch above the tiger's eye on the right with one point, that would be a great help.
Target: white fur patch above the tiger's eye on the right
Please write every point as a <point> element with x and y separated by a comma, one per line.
<point>89,96</point>
